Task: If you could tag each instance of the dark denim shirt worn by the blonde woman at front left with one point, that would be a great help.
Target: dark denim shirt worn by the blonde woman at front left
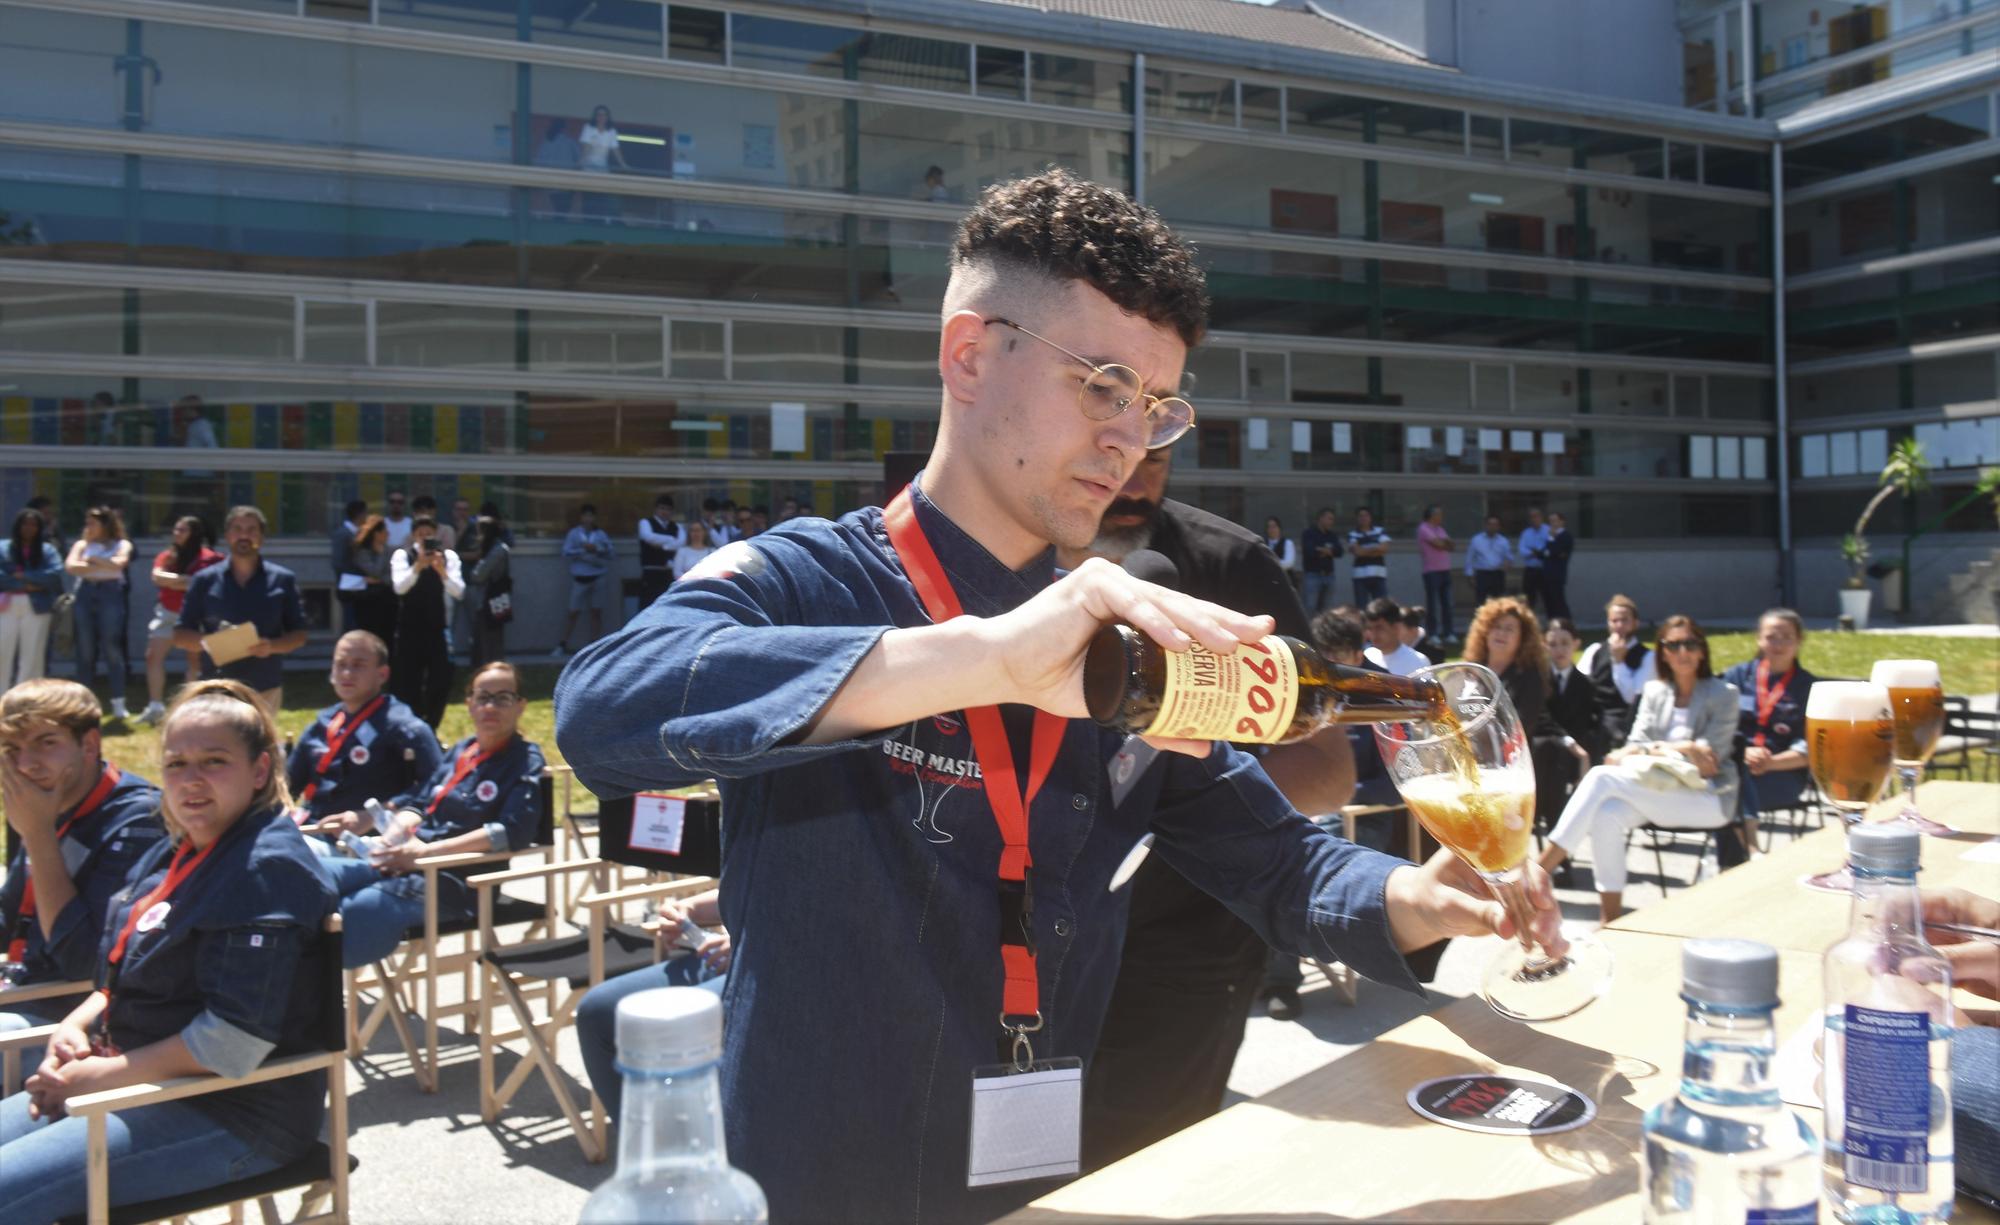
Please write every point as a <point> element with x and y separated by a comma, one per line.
<point>237,970</point>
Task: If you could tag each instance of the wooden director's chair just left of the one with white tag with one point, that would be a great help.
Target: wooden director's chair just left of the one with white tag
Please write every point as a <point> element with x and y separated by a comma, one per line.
<point>403,988</point>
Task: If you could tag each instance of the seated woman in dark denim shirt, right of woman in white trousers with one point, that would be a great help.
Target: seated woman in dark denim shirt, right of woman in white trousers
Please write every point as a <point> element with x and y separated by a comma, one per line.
<point>1773,728</point>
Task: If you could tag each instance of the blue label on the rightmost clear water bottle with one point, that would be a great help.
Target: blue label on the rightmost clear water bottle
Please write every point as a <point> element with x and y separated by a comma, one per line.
<point>1887,1100</point>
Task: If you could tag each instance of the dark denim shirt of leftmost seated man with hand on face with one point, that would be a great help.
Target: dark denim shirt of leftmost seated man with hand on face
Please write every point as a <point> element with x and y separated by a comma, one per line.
<point>101,852</point>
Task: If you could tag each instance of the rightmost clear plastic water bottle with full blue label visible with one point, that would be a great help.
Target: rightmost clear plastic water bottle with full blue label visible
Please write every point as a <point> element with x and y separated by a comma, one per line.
<point>1889,1044</point>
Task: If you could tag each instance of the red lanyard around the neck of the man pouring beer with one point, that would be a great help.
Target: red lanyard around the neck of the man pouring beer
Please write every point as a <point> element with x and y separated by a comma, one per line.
<point>1021,992</point>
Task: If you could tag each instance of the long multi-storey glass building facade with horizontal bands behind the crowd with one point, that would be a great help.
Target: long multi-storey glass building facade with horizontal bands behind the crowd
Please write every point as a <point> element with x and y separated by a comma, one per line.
<point>359,243</point>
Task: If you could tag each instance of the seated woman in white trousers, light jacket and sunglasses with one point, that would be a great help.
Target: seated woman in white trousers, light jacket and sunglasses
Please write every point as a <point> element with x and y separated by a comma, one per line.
<point>1685,716</point>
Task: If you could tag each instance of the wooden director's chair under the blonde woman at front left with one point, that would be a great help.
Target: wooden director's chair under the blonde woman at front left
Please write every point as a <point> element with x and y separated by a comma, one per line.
<point>321,1174</point>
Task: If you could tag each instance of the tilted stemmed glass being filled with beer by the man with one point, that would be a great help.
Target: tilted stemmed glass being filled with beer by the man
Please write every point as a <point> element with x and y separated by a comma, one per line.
<point>1471,780</point>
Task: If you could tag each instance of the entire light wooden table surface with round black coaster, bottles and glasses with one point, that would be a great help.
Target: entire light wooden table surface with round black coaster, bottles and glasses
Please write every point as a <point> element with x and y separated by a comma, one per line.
<point>1343,1144</point>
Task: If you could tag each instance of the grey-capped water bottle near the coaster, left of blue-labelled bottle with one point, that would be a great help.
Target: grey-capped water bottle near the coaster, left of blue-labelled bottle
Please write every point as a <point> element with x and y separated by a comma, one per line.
<point>1727,1148</point>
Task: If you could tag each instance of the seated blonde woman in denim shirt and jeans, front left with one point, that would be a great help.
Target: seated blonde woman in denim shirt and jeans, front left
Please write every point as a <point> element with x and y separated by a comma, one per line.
<point>213,960</point>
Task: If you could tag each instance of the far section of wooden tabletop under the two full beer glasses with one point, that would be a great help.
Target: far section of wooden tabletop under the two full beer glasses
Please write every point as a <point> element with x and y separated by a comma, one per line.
<point>1765,902</point>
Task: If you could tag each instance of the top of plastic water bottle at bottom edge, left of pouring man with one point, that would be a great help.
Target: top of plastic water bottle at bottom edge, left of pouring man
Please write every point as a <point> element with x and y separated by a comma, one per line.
<point>671,1156</point>
